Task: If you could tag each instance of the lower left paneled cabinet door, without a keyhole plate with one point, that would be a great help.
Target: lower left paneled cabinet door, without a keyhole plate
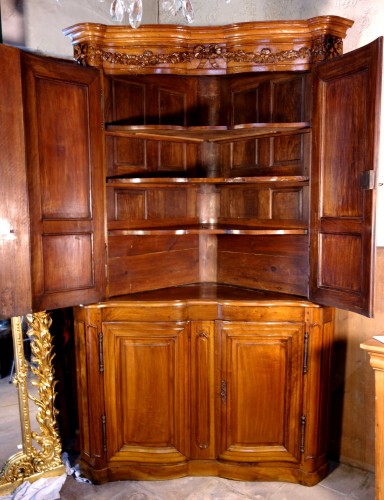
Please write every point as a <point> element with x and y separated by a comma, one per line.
<point>146,392</point>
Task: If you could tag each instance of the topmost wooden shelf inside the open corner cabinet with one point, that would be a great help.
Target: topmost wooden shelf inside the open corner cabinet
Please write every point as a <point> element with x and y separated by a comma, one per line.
<point>197,135</point>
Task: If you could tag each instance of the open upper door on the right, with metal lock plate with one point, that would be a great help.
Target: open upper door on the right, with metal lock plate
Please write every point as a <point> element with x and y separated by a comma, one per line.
<point>345,152</point>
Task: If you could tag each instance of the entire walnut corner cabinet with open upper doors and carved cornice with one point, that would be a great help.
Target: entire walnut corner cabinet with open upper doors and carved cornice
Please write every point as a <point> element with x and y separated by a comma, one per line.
<point>204,197</point>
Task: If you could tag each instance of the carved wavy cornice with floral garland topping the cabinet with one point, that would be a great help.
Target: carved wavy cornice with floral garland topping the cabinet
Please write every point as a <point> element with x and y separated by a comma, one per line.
<point>203,50</point>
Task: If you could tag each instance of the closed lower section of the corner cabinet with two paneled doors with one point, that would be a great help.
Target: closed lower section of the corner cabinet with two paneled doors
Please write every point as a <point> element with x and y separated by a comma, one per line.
<point>231,388</point>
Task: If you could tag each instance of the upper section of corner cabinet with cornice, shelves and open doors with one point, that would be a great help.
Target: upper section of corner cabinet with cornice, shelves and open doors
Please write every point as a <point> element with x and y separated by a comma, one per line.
<point>192,155</point>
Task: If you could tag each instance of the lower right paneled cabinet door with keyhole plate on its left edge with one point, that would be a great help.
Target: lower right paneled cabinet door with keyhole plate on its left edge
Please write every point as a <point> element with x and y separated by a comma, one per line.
<point>261,391</point>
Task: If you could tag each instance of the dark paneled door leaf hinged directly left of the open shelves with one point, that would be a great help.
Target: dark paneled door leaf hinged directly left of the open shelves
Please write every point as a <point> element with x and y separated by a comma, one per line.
<point>66,179</point>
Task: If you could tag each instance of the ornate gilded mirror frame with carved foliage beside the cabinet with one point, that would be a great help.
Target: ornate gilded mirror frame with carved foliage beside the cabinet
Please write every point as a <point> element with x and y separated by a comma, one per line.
<point>41,449</point>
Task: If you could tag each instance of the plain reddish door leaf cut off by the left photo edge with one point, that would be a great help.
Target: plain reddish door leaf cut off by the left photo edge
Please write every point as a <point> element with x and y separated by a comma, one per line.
<point>15,275</point>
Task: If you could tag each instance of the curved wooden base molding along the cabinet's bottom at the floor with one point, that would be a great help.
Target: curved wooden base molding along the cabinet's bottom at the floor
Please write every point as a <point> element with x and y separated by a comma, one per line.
<point>208,468</point>
